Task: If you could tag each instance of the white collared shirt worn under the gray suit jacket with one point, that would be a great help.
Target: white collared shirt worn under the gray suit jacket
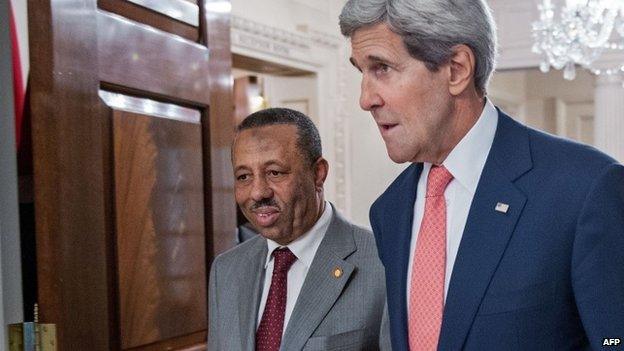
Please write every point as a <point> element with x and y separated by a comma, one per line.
<point>304,248</point>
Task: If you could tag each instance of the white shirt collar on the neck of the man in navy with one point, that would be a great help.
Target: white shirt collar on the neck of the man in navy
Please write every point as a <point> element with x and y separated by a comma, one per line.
<point>467,159</point>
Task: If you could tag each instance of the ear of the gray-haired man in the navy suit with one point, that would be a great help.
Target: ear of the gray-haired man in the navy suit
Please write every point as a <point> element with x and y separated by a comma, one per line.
<point>462,69</point>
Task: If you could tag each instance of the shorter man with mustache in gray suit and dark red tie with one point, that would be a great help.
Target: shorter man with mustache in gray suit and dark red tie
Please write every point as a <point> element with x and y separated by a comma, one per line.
<point>310,280</point>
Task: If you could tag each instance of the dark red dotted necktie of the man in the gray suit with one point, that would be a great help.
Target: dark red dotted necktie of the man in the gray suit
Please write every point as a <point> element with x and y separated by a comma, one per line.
<point>269,333</point>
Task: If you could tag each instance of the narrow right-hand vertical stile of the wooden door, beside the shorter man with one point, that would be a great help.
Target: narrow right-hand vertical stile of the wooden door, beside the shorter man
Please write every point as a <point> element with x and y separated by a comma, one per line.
<point>219,129</point>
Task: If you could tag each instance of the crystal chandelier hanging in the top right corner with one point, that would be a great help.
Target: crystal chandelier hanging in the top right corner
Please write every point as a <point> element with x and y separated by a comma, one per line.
<point>579,35</point>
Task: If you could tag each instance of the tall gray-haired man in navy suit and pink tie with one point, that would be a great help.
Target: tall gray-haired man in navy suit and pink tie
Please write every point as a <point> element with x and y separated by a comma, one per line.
<point>497,236</point>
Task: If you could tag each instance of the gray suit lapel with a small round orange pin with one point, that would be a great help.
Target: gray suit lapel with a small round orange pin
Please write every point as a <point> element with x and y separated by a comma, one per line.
<point>321,288</point>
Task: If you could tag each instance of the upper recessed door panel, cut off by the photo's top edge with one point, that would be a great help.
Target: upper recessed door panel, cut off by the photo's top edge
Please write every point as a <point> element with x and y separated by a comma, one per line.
<point>178,17</point>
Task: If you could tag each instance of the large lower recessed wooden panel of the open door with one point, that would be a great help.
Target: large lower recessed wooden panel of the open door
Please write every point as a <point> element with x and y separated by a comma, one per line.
<point>160,228</point>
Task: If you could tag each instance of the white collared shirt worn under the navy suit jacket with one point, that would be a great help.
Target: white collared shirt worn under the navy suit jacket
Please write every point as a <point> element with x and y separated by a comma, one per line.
<point>465,163</point>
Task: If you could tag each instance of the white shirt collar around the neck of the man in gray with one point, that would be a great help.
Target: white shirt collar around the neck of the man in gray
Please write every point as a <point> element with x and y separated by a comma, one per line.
<point>305,246</point>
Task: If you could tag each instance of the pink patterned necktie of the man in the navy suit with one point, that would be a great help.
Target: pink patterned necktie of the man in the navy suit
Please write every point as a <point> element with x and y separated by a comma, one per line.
<point>426,300</point>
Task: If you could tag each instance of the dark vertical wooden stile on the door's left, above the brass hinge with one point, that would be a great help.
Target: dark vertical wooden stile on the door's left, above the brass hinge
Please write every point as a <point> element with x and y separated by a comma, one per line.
<point>70,168</point>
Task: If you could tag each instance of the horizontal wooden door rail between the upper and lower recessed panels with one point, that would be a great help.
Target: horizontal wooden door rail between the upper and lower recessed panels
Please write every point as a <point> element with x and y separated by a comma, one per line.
<point>151,60</point>
